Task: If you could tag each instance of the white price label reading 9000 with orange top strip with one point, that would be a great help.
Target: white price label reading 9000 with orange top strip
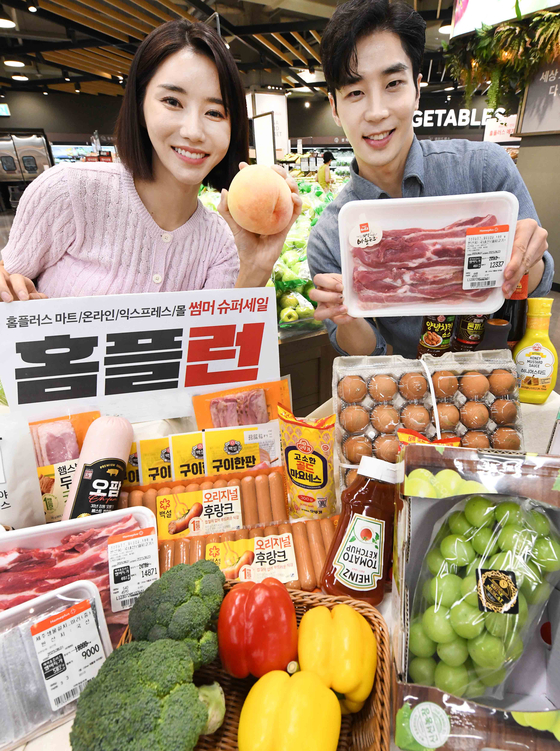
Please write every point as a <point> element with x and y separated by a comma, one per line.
<point>70,653</point>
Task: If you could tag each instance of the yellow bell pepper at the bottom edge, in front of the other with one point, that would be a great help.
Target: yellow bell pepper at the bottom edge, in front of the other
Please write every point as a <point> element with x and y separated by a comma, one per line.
<point>283,713</point>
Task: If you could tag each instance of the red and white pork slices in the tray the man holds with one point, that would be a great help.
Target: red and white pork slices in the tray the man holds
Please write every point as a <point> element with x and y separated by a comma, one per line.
<point>416,265</point>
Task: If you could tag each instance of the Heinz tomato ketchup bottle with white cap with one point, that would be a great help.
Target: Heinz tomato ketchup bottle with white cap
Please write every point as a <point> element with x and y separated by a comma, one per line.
<point>359,558</point>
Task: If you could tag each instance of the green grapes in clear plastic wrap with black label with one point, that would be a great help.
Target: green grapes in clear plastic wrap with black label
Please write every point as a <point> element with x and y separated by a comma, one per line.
<point>489,571</point>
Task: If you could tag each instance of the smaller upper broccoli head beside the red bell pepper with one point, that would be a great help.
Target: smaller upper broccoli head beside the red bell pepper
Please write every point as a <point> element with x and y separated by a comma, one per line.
<point>181,606</point>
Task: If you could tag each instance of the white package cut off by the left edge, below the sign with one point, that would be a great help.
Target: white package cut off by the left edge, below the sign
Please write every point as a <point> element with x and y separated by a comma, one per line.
<point>20,494</point>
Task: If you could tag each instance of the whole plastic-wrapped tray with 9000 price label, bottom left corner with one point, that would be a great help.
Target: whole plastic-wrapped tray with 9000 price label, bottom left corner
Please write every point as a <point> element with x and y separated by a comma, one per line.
<point>43,666</point>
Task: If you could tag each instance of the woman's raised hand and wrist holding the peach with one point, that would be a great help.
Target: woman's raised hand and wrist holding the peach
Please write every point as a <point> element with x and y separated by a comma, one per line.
<point>259,253</point>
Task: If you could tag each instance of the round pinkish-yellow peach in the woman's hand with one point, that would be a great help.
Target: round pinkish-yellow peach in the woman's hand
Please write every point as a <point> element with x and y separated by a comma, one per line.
<point>259,200</point>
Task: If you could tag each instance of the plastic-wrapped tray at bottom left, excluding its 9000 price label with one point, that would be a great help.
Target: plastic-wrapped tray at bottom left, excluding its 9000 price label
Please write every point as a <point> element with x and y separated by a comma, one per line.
<point>25,709</point>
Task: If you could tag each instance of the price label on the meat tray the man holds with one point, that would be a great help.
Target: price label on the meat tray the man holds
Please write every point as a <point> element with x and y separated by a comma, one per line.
<point>485,257</point>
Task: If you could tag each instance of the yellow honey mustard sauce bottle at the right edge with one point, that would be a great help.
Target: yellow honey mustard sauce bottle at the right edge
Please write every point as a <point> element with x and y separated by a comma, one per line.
<point>535,356</point>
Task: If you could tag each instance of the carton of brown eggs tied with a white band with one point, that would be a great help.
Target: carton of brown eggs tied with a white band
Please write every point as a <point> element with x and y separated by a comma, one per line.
<point>382,402</point>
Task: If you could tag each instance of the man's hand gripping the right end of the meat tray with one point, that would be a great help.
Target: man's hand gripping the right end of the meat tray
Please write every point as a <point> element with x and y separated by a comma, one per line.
<point>529,245</point>
